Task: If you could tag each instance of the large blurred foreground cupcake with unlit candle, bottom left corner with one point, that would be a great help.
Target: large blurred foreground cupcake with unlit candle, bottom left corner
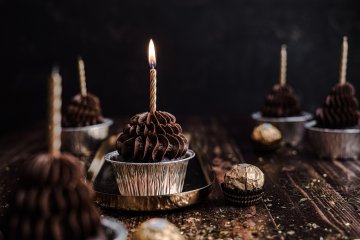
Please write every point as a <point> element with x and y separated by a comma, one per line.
<point>51,199</point>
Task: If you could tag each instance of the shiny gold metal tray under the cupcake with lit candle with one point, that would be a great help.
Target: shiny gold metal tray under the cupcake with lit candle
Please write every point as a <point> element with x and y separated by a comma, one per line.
<point>197,186</point>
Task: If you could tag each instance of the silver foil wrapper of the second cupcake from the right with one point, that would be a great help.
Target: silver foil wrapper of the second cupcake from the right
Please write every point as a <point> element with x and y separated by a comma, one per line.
<point>292,128</point>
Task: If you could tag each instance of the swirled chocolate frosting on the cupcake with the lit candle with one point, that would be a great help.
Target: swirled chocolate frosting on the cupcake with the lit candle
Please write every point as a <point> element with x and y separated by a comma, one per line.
<point>152,137</point>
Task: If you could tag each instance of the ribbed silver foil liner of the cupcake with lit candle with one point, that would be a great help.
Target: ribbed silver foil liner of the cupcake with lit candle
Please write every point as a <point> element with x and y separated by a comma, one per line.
<point>149,179</point>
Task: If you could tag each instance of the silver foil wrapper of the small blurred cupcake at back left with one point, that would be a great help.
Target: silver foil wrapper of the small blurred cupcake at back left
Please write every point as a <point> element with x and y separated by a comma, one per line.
<point>84,141</point>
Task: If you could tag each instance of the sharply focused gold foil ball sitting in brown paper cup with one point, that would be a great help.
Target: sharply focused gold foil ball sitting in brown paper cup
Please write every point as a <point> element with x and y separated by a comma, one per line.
<point>244,177</point>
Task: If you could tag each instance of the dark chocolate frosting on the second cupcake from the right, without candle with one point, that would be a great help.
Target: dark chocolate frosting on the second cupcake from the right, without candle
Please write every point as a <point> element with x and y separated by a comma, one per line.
<point>281,102</point>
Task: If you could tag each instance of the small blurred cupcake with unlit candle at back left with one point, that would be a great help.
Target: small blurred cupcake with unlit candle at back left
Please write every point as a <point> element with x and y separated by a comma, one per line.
<point>84,127</point>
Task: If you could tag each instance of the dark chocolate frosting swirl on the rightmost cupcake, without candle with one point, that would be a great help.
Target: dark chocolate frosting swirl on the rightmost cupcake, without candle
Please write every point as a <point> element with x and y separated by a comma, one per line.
<point>340,109</point>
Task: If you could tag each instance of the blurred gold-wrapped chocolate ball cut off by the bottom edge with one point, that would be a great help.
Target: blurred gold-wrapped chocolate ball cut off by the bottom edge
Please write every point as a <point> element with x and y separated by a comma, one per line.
<point>157,229</point>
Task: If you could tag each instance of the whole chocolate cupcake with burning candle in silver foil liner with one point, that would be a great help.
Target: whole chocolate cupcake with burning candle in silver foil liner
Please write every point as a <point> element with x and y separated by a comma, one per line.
<point>152,152</point>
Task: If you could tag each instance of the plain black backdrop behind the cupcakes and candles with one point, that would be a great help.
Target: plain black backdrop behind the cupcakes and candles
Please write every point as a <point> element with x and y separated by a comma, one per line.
<point>214,57</point>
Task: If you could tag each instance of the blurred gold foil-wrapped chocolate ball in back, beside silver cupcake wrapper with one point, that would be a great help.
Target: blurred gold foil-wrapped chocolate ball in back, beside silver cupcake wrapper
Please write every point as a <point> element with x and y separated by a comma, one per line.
<point>266,134</point>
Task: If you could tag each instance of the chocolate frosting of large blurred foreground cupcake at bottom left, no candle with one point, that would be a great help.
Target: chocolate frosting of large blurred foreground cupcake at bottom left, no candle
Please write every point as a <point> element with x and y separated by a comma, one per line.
<point>52,201</point>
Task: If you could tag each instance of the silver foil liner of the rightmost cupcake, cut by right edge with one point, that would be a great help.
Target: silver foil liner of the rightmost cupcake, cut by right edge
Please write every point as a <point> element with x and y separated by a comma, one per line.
<point>334,143</point>
